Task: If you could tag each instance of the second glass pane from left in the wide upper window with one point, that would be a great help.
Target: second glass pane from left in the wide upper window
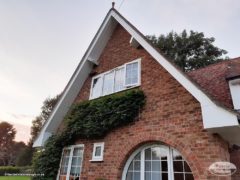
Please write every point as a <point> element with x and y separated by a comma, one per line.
<point>108,82</point>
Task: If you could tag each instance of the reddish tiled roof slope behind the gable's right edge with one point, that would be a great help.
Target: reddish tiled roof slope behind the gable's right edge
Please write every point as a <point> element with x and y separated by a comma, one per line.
<point>214,79</point>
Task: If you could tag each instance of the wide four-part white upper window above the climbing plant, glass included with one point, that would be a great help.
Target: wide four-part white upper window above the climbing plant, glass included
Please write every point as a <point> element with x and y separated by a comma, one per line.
<point>115,80</point>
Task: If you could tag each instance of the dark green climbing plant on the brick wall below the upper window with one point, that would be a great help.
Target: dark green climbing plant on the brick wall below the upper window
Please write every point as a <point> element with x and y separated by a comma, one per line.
<point>90,119</point>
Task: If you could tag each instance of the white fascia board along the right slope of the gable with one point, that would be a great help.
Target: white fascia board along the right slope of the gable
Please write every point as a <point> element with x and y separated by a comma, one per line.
<point>213,115</point>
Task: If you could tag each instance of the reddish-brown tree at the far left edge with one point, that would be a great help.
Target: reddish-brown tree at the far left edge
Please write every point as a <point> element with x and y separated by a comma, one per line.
<point>7,135</point>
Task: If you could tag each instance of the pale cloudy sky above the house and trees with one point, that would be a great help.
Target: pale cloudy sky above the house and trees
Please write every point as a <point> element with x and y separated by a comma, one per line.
<point>41,42</point>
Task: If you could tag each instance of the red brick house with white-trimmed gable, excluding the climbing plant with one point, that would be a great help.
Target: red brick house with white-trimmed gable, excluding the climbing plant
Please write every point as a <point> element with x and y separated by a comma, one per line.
<point>189,121</point>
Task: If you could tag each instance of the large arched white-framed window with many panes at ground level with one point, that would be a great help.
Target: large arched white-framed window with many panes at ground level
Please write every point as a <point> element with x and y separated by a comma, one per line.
<point>156,162</point>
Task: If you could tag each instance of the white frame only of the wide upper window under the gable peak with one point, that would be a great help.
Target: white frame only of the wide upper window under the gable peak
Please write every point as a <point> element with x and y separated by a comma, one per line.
<point>124,79</point>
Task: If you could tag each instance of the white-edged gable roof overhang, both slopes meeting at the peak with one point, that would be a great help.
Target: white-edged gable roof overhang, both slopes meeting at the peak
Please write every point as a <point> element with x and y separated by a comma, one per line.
<point>214,116</point>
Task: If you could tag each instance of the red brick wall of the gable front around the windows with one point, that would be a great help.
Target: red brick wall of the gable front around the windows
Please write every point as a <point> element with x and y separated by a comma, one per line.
<point>171,116</point>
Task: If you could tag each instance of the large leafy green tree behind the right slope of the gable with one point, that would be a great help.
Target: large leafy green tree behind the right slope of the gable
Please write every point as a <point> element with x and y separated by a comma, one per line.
<point>189,51</point>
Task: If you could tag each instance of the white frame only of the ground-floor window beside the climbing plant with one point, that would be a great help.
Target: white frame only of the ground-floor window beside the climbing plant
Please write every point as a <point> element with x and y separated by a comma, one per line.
<point>72,147</point>
